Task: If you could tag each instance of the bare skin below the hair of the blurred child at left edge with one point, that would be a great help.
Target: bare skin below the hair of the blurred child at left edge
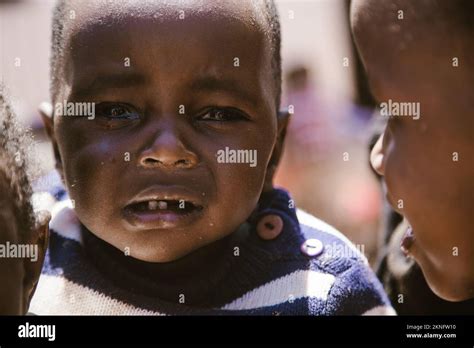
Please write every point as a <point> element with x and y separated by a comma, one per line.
<point>17,276</point>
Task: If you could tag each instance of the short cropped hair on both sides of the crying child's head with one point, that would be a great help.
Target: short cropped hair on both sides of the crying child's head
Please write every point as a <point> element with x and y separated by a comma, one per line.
<point>272,31</point>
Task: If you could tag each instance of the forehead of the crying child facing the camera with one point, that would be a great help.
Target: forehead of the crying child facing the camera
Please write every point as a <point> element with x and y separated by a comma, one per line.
<point>211,51</point>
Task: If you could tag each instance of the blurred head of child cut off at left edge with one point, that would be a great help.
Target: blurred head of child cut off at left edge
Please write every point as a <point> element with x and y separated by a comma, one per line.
<point>18,225</point>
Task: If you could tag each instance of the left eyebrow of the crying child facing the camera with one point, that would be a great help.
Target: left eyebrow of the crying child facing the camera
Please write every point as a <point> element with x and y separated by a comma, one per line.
<point>106,81</point>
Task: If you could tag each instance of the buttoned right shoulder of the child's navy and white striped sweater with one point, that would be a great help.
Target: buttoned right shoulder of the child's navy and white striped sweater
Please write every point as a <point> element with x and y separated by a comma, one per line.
<point>309,269</point>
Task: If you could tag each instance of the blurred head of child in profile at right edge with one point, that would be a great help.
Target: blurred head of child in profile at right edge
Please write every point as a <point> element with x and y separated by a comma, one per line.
<point>421,53</point>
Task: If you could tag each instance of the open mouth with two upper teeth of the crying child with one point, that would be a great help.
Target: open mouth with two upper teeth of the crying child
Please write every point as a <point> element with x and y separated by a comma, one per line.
<point>163,207</point>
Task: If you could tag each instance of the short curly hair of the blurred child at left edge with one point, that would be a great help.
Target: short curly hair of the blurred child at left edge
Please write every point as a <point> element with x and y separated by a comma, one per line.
<point>16,166</point>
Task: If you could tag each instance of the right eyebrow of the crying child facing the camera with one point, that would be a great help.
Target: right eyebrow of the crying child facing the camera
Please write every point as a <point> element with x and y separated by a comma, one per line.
<point>231,86</point>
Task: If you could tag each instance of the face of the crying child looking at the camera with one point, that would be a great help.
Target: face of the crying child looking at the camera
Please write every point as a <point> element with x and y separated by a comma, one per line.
<point>185,89</point>
